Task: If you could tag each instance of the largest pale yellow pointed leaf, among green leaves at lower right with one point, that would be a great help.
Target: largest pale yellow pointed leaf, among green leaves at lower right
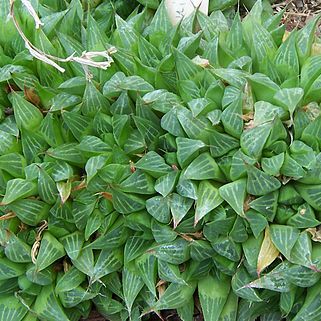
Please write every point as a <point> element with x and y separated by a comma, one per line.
<point>268,252</point>
